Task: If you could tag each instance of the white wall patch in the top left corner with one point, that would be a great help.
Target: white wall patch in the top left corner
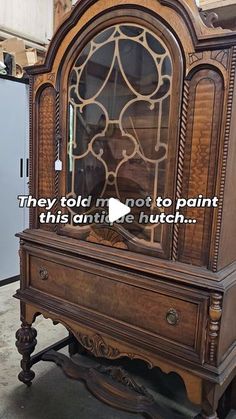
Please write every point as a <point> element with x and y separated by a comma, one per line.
<point>30,18</point>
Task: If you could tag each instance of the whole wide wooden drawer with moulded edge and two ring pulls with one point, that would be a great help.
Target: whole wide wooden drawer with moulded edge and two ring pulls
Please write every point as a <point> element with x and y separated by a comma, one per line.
<point>166,314</point>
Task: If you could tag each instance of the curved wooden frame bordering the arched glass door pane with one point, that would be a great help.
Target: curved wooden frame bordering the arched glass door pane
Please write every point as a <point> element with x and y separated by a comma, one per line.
<point>150,22</point>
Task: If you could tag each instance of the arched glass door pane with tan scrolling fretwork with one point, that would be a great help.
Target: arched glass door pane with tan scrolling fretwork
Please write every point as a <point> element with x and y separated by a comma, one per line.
<point>119,106</point>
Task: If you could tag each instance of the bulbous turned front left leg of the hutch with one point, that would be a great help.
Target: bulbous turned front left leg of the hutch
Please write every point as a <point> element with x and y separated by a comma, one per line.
<point>25,343</point>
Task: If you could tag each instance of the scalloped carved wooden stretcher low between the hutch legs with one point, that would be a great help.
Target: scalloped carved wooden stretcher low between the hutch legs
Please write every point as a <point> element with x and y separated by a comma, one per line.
<point>111,385</point>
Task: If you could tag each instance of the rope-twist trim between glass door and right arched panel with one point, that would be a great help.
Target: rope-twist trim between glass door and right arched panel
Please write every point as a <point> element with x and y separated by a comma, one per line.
<point>180,169</point>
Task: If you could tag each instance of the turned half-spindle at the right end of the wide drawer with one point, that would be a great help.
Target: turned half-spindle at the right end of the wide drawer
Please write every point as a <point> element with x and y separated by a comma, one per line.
<point>215,313</point>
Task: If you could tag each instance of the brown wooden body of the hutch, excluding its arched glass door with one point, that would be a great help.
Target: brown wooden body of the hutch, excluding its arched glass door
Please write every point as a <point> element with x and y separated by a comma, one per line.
<point>175,311</point>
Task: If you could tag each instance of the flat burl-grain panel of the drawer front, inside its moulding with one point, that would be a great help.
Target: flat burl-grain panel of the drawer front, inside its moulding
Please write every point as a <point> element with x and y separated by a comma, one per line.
<point>112,298</point>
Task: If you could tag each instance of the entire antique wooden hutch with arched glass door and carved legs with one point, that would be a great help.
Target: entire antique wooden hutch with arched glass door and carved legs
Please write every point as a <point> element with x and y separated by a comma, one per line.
<point>136,100</point>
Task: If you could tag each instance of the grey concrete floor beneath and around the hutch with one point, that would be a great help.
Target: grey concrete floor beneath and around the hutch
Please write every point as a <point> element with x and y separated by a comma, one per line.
<point>52,395</point>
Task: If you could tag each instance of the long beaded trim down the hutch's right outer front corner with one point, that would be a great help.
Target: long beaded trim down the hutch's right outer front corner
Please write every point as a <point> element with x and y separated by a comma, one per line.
<point>224,159</point>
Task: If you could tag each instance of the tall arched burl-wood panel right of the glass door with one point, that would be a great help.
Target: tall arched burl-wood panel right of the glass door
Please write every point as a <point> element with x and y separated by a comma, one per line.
<point>202,138</point>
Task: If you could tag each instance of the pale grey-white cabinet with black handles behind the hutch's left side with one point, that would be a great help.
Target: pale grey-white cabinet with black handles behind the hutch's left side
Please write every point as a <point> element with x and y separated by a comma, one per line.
<point>14,143</point>
